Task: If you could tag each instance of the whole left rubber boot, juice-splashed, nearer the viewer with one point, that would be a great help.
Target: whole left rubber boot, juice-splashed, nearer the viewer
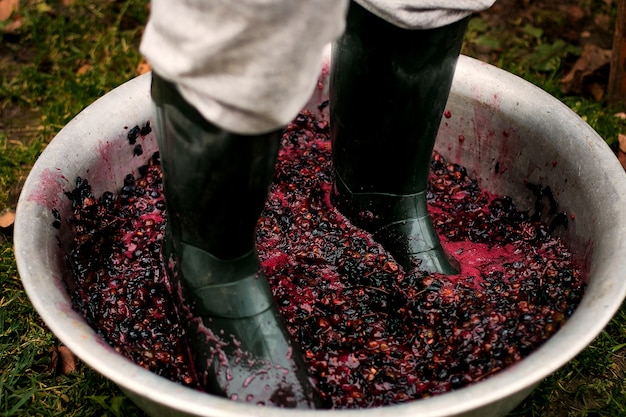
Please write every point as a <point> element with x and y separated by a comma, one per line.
<point>215,186</point>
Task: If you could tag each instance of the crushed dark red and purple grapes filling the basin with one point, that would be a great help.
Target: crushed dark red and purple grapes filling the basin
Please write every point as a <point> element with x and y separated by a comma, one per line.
<point>371,333</point>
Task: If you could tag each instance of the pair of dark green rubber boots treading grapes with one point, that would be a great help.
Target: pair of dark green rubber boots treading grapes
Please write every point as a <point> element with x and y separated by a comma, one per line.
<point>388,89</point>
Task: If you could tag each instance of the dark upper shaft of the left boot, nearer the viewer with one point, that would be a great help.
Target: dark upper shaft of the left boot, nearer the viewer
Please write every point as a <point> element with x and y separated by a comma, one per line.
<point>216,182</point>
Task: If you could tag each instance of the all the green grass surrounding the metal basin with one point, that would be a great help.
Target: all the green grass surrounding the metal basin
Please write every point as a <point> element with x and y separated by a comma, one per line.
<point>65,57</point>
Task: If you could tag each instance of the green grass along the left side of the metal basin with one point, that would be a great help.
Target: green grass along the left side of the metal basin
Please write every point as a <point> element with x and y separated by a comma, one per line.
<point>58,62</point>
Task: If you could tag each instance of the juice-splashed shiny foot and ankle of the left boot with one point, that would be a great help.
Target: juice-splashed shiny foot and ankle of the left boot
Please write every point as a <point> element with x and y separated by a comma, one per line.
<point>241,346</point>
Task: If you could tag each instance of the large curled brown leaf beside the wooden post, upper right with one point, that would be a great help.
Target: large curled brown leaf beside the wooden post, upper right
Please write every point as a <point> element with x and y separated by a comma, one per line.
<point>592,59</point>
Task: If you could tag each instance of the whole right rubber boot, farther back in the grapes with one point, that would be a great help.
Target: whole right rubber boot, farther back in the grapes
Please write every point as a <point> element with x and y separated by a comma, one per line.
<point>388,90</point>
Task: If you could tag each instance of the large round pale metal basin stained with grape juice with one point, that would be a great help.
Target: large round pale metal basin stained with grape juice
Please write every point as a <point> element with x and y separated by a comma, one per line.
<point>513,132</point>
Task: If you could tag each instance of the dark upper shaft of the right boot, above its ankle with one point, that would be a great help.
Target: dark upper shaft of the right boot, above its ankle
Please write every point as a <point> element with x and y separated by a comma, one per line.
<point>388,90</point>
